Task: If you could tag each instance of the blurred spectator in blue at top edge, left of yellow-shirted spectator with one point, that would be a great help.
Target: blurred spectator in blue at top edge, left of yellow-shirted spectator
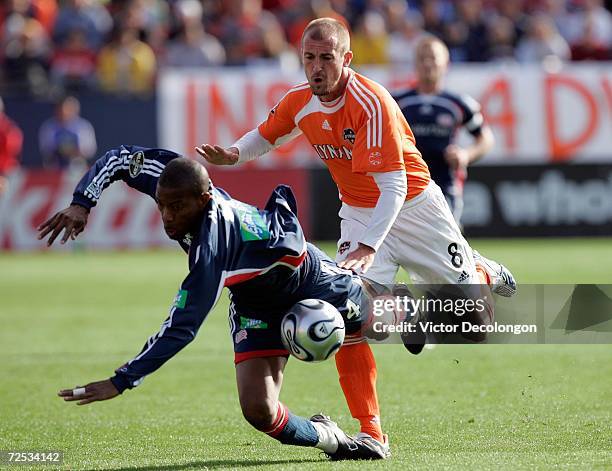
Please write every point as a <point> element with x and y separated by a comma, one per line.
<point>85,15</point>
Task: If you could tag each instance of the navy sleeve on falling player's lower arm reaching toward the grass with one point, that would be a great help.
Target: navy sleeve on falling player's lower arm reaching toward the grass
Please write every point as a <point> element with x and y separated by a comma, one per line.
<point>196,297</point>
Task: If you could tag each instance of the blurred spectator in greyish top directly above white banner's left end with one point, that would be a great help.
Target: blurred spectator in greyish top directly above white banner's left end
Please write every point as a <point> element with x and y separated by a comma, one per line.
<point>194,48</point>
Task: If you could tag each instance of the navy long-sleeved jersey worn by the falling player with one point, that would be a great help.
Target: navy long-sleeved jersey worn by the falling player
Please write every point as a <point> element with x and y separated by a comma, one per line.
<point>260,255</point>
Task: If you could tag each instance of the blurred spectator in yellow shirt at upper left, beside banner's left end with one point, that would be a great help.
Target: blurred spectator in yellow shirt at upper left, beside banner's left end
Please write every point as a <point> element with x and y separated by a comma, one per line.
<point>126,65</point>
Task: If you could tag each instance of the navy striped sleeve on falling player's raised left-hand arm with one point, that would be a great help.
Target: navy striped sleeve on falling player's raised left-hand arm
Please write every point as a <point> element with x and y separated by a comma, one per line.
<point>139,167</point>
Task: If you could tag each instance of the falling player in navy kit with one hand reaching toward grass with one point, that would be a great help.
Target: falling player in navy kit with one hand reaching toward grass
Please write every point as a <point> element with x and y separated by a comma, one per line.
<point>229,244</point>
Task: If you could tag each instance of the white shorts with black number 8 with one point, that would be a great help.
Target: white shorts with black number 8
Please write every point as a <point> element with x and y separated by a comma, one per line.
<point>424,240</point>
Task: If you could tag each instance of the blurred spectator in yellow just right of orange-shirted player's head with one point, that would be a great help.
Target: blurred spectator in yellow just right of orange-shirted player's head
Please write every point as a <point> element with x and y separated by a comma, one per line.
<point>370,40</point>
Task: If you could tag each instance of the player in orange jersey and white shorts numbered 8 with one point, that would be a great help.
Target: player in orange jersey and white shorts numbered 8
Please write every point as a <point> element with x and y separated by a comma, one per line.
<point>392,213</point>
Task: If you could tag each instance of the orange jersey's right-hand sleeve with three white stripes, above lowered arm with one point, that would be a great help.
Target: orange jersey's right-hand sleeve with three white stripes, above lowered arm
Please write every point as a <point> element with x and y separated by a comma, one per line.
<point>379,141</point>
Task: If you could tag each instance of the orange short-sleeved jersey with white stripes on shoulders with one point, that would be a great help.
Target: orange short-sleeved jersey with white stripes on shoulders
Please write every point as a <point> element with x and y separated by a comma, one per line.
<point>361,132</point>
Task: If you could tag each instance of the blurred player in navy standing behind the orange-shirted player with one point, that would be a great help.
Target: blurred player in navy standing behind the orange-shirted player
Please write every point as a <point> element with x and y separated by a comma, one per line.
<point>435,115</point>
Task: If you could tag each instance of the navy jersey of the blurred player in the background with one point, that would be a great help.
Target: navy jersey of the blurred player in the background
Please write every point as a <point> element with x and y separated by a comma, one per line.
<point>435,120</point>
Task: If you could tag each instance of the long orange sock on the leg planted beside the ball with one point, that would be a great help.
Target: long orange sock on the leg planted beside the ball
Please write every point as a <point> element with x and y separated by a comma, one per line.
<point>357,372</point>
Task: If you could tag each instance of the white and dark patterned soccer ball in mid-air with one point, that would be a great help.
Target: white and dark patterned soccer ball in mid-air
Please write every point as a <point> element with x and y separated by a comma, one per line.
<point>312,330</point>
